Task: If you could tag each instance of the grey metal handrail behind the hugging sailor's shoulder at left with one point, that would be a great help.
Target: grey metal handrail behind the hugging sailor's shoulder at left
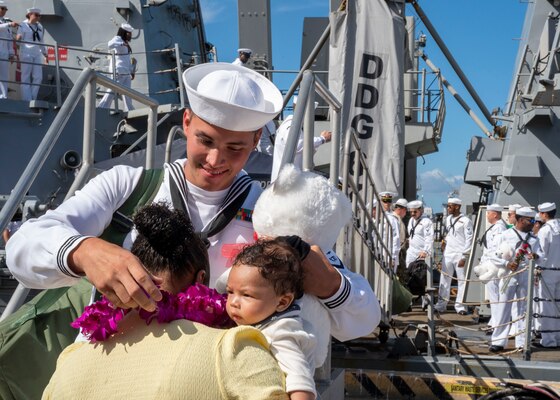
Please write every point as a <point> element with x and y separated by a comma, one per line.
<point>85,86</point>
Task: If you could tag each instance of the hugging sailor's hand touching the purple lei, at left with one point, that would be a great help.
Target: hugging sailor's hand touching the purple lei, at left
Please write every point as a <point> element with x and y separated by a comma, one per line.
<point>116,273</point>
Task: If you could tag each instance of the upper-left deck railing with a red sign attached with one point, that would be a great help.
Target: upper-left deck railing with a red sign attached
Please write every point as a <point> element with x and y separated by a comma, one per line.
<point>101,62</point>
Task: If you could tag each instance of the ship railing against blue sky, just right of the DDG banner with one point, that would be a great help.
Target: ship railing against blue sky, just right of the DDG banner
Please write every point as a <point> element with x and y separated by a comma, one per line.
<point>428,104</point>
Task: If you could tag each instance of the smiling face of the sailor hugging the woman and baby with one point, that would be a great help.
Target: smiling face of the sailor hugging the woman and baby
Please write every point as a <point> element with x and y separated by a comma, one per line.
<point>215,155</point>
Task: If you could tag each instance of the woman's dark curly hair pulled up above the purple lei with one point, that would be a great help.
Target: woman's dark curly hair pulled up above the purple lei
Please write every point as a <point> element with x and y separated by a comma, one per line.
<point>167,242</point>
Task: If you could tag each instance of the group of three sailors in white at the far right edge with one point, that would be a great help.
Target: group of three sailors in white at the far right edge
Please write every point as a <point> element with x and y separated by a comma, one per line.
<point>507,296</point>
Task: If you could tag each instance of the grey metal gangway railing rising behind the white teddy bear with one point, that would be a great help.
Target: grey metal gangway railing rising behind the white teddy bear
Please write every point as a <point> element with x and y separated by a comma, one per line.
<point>365,247</point>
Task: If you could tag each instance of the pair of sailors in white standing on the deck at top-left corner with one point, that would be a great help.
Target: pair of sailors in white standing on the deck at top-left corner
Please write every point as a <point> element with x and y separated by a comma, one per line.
<point>32,51</point>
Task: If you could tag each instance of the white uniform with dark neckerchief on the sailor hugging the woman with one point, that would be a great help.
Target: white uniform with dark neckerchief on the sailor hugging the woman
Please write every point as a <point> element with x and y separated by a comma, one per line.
<point>353,309</point>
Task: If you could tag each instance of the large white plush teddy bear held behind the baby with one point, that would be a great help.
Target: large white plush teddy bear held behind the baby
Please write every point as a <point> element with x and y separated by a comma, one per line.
<point>307,205</point>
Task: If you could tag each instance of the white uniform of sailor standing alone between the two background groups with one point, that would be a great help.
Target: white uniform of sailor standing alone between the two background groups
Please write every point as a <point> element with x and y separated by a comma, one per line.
<point>458,245</point>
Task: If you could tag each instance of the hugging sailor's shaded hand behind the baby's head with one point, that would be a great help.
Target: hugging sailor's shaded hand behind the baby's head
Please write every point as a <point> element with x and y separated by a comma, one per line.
<point>320,277</point>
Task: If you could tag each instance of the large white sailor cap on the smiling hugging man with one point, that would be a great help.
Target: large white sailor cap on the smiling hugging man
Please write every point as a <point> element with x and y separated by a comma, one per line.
<point>231,96</point>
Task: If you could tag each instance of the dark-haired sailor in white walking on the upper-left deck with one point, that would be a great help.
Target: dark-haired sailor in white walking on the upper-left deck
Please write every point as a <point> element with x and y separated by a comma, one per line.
<point>125,67</point>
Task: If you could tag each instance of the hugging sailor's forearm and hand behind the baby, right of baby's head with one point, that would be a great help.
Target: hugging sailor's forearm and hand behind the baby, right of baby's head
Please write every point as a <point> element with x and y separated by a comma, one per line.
<point>353,308</point>
